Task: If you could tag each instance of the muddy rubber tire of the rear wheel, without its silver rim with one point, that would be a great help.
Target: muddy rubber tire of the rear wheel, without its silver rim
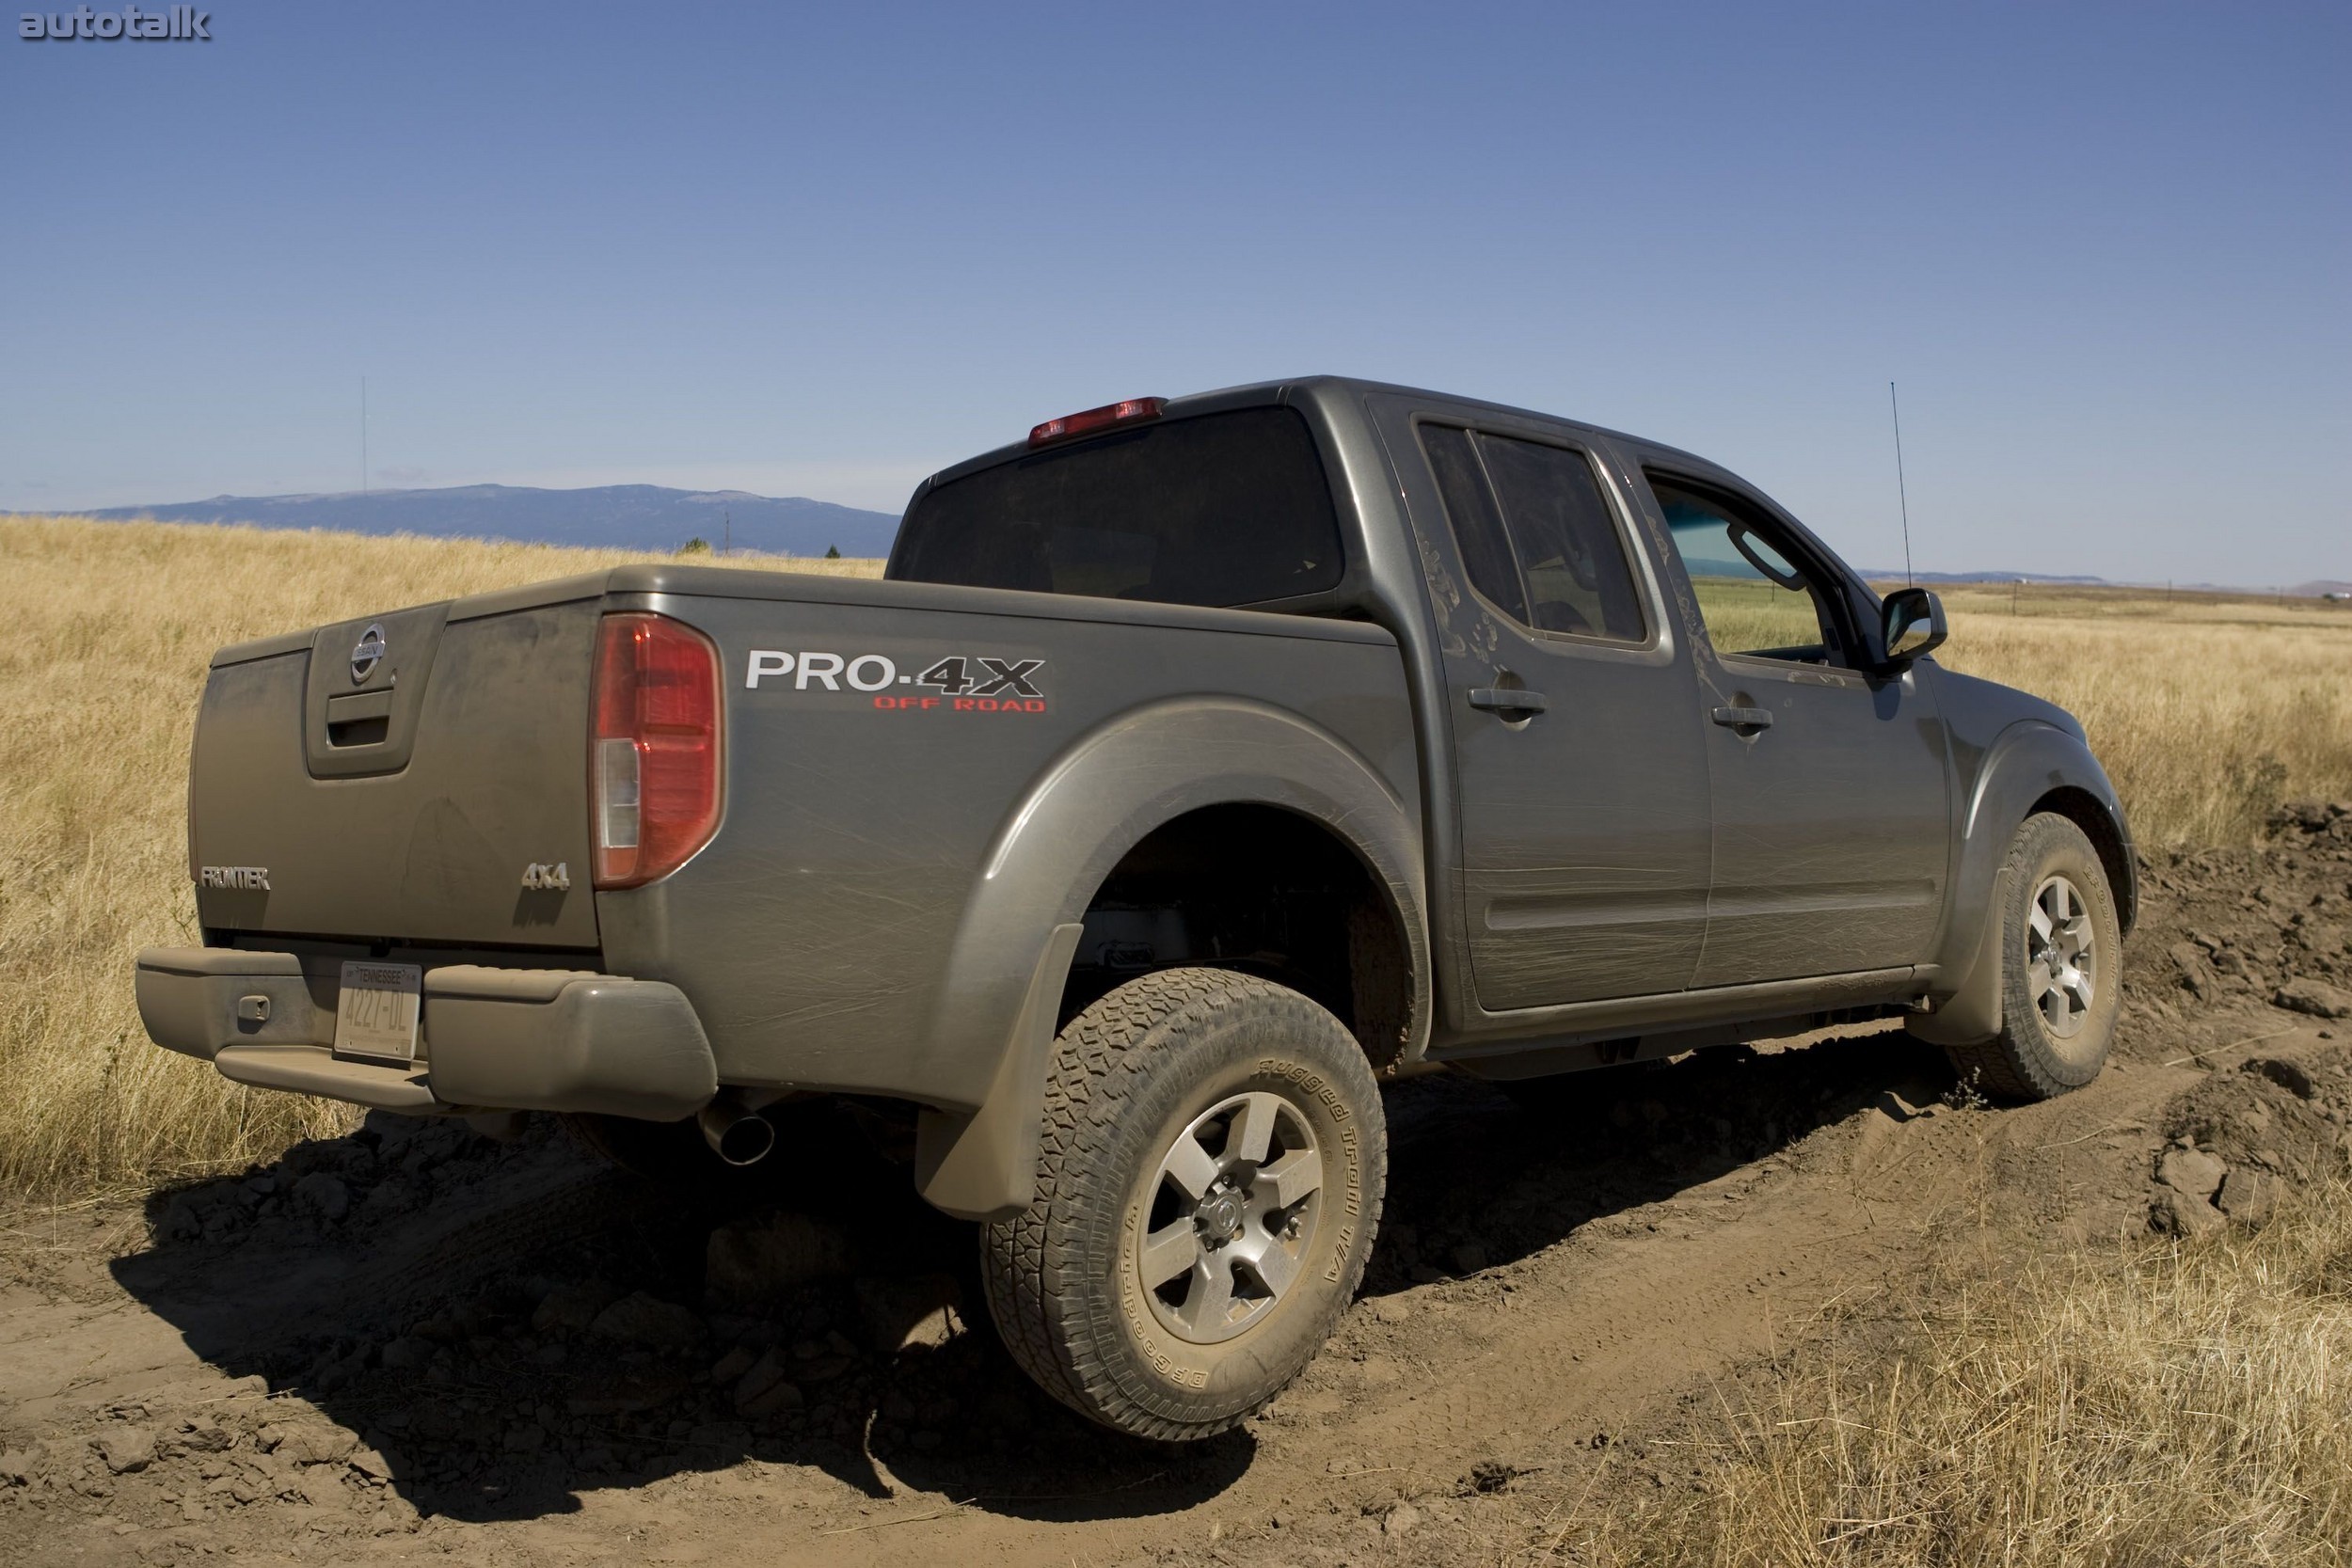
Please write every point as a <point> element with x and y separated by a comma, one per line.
<point>1130,1076</point>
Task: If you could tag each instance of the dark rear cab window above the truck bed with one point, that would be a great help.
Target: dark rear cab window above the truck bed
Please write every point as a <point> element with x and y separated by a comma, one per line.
<point>1217,509</point>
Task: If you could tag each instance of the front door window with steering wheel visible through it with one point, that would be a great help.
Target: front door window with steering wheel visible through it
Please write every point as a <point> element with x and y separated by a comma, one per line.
<point>1751,596</point>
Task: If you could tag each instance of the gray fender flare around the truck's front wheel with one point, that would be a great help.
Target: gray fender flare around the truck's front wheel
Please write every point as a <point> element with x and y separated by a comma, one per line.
<point>2024,765</point>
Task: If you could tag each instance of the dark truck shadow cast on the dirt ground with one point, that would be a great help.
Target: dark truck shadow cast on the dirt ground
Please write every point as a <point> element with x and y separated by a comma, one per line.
<point>507,1327</point>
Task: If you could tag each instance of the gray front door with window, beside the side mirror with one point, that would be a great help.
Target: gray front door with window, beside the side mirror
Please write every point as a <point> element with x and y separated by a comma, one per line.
<point>1829,782</point>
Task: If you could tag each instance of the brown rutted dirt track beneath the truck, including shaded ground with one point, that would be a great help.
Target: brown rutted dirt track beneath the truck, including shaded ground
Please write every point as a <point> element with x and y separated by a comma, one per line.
<point>507,1353</point>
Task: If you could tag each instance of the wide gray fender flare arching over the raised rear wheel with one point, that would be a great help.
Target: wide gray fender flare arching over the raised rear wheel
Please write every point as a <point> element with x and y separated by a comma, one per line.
<point>991,1036</point>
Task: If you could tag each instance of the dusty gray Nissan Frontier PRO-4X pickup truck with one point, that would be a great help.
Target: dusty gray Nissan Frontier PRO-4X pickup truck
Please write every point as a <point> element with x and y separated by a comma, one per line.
<point>1194,768</point>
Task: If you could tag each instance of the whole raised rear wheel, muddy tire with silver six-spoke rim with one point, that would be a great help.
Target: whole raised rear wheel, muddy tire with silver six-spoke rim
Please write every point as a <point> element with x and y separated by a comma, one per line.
<point>1187,1054</point>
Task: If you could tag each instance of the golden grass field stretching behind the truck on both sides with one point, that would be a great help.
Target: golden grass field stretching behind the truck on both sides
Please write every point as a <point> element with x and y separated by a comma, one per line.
<point>2205,713</point>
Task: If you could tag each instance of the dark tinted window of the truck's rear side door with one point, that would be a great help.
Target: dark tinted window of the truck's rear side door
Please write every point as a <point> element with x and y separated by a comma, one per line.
<point>1537,535</point>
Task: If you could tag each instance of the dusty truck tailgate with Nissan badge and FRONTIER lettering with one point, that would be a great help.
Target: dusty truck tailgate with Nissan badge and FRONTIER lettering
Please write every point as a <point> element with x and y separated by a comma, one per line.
<point>399,777</point>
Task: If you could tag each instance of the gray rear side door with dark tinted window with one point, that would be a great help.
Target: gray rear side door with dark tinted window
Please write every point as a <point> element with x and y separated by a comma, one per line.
<point>1579,763</point>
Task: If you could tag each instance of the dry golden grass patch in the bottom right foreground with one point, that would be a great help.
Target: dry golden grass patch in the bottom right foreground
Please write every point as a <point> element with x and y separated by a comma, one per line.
<point>2186,1405</point>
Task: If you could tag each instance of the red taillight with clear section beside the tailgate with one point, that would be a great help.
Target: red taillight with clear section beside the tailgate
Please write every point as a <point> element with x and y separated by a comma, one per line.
<point>655,753</point>
